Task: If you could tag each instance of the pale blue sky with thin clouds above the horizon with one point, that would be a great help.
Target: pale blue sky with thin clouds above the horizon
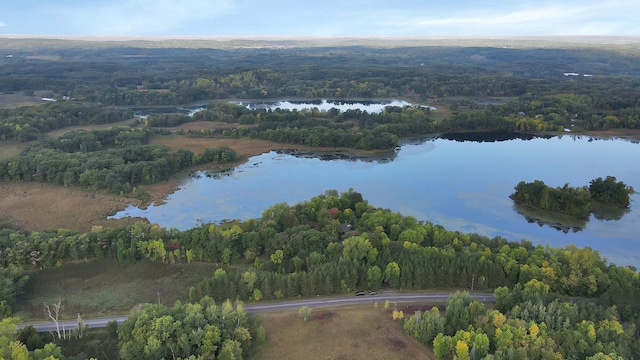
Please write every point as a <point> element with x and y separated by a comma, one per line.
<point>327,18</point>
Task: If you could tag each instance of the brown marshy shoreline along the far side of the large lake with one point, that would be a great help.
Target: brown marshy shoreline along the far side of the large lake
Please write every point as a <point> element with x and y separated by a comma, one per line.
<point>35,206</point>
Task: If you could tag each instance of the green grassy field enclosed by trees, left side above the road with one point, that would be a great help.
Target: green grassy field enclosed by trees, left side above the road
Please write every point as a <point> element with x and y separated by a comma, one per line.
<point>104,287</point>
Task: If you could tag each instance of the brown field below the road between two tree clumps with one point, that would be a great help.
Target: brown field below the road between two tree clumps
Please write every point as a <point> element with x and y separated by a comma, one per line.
<point>351,333</point>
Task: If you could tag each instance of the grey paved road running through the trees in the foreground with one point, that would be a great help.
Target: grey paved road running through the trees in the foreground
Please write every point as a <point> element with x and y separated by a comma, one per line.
<point>288,305</point>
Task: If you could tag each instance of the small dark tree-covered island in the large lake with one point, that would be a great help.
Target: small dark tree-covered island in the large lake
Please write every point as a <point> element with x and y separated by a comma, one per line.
<point>573,201</point>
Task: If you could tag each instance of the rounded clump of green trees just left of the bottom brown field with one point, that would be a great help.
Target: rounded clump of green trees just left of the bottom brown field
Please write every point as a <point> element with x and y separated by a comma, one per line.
<point>199,330</point>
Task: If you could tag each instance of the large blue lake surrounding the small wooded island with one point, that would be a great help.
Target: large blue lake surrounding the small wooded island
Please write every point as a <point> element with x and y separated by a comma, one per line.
<point>461,185</point>
